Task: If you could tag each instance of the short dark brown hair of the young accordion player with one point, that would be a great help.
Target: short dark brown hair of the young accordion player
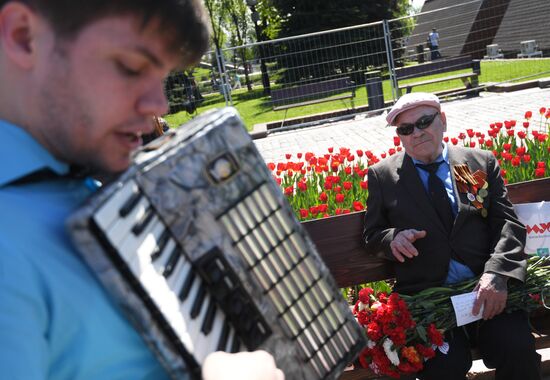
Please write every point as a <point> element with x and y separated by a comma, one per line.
<point>183,22</point>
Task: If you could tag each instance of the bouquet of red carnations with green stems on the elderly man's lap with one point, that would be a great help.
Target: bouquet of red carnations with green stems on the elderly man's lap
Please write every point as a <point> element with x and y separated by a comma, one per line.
<point>405,331</point>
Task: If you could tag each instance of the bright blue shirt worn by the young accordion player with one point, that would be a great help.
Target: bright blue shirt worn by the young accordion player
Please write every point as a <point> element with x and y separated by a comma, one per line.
<point>56,321</point>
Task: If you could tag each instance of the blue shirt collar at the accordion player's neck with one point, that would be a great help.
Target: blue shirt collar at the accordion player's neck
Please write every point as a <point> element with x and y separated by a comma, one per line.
<point>23,155</point>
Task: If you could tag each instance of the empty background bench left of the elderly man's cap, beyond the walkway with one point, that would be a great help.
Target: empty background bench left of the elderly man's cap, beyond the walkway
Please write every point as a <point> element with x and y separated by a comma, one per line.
<point>312,93</point>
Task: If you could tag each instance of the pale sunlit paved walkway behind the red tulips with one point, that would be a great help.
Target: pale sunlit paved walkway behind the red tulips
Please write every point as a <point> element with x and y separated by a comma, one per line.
<point>372,133</point>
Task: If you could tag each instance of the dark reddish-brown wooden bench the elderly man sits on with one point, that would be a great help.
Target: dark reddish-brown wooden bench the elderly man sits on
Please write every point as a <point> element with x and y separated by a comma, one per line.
<point>339,241</point>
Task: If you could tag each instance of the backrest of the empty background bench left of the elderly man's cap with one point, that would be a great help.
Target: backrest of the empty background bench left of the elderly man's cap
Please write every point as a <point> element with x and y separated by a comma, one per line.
<point>310,91</point>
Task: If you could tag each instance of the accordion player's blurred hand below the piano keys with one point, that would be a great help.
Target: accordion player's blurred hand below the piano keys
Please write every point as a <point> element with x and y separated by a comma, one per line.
<point>257,365</point>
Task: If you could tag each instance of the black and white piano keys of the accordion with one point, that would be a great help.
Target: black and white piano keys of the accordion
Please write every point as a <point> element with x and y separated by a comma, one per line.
<point>131,227</point>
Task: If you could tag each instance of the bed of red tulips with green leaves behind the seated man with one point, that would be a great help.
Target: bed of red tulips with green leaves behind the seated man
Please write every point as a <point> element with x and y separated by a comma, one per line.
<point>334,183</point>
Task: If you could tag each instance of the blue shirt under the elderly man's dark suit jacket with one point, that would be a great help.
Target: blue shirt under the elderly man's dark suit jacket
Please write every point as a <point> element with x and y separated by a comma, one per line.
<point>457,271</point>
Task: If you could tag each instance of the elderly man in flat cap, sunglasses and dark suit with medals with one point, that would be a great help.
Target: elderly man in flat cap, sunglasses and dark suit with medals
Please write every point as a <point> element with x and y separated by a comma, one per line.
<point>441,215</point>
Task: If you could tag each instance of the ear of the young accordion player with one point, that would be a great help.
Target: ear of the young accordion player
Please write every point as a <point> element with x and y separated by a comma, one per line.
<point>17,33</point>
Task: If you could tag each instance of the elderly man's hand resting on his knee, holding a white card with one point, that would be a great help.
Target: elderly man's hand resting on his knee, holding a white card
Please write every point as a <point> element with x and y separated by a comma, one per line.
<point>492,292</point>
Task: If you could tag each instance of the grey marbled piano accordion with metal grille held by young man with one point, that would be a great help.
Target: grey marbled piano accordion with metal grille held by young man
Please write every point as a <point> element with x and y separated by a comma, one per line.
<point>198,246</point>
